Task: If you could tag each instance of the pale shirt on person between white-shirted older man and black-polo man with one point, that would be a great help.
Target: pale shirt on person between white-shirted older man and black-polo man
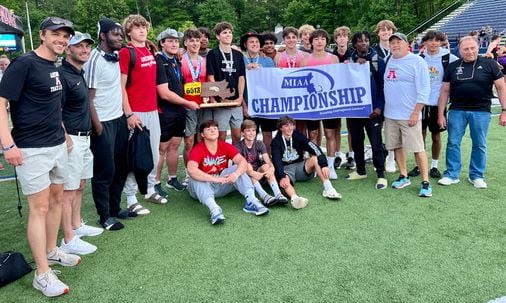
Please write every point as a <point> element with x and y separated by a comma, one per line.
<point>436,73</point>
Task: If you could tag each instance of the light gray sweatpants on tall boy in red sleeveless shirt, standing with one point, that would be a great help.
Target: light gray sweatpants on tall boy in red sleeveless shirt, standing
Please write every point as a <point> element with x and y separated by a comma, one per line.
<point>151,121</point>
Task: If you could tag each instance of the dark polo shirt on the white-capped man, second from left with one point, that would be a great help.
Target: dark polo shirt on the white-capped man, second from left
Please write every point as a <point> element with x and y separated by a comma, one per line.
<point>75,102</point>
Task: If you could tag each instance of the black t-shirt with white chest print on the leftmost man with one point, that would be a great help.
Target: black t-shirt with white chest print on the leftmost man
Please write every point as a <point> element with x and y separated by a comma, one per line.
<point>32,85</point>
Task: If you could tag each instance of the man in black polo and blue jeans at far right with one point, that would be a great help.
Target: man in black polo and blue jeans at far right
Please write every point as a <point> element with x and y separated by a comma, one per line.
<point>468,82</point>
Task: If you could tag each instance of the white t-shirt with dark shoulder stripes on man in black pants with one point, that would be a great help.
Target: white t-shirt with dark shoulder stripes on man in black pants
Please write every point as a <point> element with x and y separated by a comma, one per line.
<point>104,77</point>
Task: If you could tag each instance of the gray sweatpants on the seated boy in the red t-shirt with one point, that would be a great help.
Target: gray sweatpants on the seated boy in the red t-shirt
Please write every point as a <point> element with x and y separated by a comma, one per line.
<point>205,192</point>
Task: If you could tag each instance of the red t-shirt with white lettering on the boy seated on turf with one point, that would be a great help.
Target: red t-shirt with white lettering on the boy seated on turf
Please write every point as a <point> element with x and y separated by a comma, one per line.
<point>209,163</point>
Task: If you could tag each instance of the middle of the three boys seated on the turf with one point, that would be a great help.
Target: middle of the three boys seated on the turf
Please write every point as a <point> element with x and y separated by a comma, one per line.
<point>260,168</point>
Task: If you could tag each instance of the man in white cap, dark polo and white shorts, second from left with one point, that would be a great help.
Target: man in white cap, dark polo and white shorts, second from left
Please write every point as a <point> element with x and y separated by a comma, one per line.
<point>77,122</point>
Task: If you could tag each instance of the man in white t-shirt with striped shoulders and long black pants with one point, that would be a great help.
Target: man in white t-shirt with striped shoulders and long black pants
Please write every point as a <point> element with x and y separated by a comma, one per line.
<point>109,137</point>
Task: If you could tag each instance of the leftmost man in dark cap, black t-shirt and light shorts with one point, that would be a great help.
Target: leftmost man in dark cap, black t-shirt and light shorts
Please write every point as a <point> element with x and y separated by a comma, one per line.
<point>37,147</point>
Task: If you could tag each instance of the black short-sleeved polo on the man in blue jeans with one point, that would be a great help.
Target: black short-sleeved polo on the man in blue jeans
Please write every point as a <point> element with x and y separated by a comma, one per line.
<point>471,83</point>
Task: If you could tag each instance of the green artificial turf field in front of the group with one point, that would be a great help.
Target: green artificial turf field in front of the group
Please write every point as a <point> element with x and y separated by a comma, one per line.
<point>372,246</point>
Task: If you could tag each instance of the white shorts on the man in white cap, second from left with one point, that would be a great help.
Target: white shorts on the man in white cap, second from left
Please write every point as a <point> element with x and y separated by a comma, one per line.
<point>80,163</point>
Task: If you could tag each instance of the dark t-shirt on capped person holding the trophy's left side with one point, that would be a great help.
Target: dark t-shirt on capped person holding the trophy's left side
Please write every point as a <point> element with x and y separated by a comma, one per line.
<point>168,70</point>
